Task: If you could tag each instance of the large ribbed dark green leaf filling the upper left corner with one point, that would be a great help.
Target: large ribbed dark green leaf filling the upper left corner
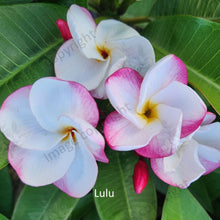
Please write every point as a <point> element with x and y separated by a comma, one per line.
<point>29,40</point>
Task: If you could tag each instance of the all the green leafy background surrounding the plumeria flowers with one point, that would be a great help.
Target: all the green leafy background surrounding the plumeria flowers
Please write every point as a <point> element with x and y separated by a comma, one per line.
<point>29,40</point>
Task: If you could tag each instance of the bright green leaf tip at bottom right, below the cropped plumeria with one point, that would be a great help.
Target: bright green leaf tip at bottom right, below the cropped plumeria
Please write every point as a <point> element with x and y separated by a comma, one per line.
<point>181,205</point>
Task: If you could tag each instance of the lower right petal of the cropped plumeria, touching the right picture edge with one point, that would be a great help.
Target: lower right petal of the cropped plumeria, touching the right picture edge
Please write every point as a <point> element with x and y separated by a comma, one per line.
<point>209,157</point>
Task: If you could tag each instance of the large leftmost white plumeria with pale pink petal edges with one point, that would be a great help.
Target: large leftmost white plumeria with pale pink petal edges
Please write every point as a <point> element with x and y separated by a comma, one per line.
<point>51,128</point>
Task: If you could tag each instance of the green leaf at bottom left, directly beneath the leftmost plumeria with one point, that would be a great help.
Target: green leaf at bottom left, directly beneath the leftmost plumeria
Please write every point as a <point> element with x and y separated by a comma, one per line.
<point>43,203</point>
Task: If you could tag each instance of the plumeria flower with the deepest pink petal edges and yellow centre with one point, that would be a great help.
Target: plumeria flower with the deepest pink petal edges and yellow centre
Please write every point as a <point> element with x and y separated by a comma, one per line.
<point>152,113</point>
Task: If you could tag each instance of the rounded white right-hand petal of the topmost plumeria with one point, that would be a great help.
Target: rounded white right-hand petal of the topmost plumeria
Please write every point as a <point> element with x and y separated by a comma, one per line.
<point>138,51</point>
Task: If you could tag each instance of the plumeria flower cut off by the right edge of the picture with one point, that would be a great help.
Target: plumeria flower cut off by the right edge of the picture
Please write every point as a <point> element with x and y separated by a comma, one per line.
<point>198,154</point>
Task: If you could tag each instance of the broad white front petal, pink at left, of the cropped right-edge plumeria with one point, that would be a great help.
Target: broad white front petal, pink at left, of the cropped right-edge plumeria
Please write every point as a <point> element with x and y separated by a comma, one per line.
<point>181,168</point>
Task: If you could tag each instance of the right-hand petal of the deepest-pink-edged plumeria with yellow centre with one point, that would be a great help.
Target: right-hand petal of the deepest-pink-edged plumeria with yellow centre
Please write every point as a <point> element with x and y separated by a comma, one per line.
<point>182,97</point>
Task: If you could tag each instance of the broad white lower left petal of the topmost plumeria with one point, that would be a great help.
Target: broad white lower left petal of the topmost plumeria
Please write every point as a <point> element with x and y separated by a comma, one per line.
<point>70,64</point>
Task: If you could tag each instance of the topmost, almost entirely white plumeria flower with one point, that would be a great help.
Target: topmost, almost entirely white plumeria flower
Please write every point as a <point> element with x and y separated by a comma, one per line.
<point>95,52</point>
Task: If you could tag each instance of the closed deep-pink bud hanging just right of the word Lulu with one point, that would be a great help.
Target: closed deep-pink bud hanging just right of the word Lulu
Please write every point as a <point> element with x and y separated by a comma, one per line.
<point>140,176</point>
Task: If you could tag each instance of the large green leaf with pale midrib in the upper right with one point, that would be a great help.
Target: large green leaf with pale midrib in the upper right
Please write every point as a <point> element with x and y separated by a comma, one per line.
<point>196,42</point>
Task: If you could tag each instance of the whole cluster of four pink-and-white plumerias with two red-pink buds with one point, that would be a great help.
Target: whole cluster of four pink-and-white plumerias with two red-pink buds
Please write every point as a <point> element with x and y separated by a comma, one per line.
<point>51,124</point>
